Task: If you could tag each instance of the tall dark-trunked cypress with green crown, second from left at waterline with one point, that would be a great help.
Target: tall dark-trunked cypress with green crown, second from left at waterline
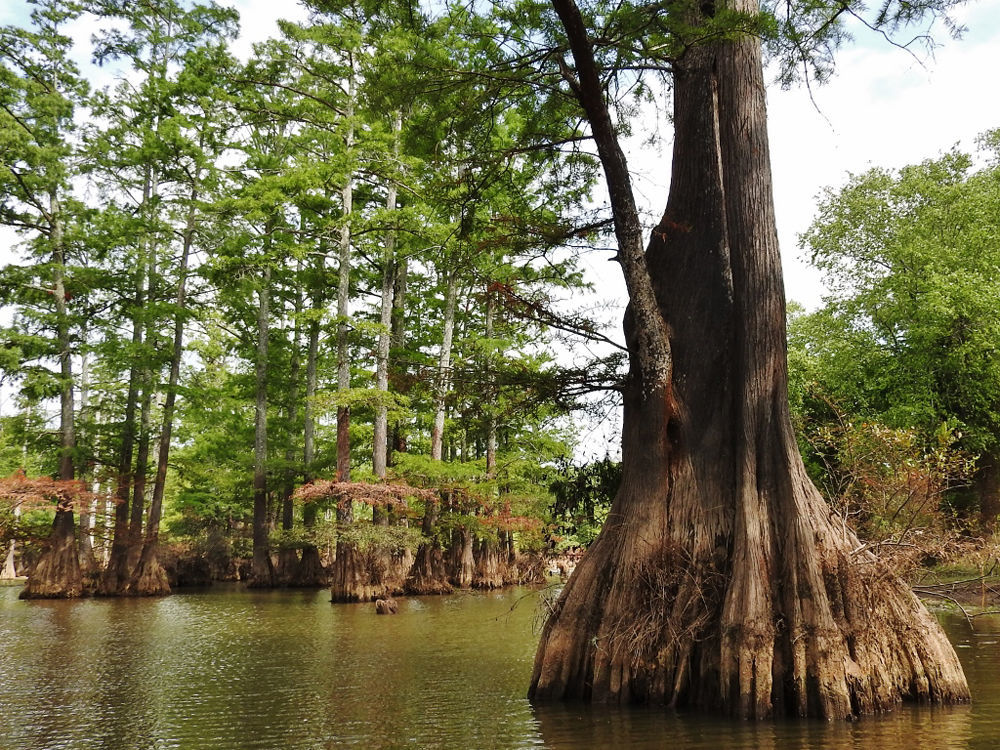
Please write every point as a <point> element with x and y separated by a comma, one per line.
<point>136,158</point>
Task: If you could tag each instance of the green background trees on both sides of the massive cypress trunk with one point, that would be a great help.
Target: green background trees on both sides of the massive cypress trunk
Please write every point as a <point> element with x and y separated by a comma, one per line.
<point>251,291</point>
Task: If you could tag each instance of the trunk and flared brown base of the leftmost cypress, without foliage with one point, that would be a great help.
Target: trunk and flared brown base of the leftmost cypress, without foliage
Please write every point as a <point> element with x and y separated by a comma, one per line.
<point>57,573</point>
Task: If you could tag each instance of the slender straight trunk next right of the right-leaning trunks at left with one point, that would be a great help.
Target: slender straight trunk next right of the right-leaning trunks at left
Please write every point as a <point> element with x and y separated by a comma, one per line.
<point>261,569</point>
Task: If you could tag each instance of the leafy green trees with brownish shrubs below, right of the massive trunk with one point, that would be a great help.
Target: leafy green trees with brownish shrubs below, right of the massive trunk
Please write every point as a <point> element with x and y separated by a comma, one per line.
<point>895,380</point>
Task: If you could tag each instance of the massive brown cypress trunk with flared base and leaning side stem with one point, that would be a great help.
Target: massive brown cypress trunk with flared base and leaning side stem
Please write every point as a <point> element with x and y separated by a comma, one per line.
<point>720,580</point>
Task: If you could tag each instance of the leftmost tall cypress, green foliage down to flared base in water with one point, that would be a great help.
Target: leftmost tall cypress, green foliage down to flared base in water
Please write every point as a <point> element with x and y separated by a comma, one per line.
<point>40,88</point>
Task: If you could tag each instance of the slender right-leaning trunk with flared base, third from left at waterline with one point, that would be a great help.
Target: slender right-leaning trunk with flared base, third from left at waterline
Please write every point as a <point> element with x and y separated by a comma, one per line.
<point>149,578</point>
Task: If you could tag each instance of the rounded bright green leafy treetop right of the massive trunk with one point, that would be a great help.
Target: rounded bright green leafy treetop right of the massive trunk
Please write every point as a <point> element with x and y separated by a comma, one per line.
<point>909,334</point>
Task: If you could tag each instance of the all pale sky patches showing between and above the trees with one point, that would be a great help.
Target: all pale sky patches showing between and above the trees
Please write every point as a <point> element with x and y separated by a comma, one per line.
<point>884,107</point>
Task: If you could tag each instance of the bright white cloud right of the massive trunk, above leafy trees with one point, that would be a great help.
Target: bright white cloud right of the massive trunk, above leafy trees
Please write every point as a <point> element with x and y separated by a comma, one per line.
<point>883,109</point>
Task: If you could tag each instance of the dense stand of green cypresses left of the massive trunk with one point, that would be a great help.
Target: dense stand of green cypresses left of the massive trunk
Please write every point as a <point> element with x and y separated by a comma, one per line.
<point>238,277</point>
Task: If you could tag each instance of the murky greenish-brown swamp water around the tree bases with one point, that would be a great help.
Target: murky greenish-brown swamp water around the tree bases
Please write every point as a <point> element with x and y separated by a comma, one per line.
<point>230,669</point>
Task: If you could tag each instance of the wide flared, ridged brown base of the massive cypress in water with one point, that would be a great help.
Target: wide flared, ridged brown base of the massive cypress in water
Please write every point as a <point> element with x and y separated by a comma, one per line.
<point>657,614</point>
